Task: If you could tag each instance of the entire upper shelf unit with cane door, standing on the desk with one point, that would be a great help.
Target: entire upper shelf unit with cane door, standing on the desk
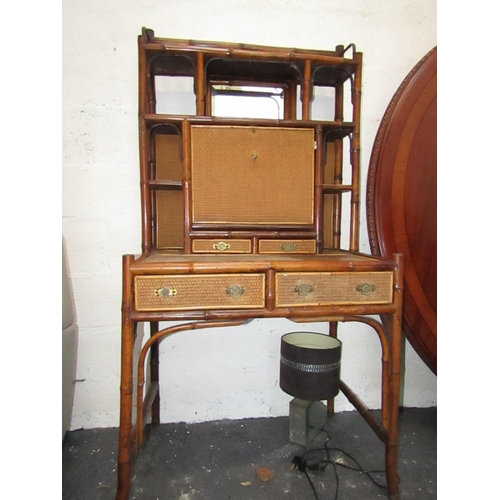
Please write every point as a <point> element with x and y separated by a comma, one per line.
<point>248,148</point>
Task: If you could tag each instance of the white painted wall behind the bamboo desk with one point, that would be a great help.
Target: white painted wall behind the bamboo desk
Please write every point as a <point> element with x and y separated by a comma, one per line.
<point>206,374</point>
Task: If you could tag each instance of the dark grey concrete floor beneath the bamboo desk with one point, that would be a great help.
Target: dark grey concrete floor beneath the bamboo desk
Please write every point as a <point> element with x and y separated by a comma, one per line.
<point>220,460</point>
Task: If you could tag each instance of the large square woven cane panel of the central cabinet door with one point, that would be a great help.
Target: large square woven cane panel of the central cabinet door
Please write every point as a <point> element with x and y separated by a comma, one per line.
<point>252,175</point>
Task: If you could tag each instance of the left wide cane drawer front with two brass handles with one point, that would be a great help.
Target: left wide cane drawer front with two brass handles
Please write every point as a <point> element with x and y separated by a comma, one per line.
<point>197,292</point>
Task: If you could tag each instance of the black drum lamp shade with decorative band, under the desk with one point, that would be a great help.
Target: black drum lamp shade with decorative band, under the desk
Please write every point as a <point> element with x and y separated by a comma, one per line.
<point>310,365</point>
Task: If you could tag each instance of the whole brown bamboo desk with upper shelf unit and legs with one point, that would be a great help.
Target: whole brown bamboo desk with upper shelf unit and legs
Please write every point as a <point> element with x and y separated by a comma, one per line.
<point>242,215</point>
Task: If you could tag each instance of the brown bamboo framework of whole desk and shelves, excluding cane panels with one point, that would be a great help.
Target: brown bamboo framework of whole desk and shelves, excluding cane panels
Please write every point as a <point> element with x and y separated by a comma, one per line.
<point>154,263</point>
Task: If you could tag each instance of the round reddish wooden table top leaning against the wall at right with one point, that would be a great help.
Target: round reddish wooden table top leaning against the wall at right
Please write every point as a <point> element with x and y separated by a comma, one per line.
<point>402,199</point>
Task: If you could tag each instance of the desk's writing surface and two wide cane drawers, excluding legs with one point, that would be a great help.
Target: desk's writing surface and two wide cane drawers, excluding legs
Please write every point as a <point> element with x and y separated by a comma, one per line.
<point>173,286</point>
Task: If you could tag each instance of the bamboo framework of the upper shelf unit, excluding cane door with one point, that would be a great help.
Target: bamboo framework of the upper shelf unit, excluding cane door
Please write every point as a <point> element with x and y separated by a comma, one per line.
<point>200,54</point>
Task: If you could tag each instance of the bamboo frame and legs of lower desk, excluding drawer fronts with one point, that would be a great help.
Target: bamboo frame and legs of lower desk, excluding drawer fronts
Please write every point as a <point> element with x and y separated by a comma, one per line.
<point>131,436</point>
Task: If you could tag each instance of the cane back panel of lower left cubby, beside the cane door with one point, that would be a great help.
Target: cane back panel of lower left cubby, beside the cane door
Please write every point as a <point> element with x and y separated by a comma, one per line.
<point>169,219</point>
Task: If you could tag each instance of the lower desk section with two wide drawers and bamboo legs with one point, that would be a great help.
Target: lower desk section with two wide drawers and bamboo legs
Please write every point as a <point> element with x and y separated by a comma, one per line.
<point>227,290</point>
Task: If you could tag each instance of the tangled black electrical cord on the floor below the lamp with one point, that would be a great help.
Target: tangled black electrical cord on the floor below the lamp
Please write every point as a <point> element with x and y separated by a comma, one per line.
<point>304,464</point>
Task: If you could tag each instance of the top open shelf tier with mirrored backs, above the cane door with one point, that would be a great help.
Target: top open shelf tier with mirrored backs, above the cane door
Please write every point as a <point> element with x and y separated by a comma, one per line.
<point>204,75</point>
